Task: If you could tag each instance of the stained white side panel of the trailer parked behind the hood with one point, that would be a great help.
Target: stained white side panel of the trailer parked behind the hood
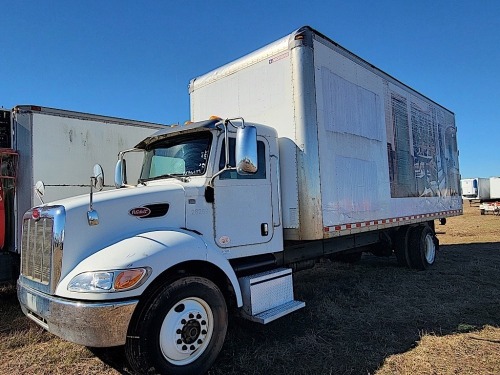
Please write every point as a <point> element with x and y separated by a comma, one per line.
<point>65,149</point>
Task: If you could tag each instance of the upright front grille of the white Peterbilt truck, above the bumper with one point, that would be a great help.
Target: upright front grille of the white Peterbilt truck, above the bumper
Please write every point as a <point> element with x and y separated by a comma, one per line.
<point>37,248</point>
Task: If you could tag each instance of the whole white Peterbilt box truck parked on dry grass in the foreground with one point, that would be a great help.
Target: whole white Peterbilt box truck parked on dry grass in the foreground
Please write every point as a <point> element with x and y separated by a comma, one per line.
<point>331,156</point>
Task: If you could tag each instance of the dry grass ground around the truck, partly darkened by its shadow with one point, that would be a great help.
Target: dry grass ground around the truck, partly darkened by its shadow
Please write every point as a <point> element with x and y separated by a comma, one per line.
<point>368,318</point>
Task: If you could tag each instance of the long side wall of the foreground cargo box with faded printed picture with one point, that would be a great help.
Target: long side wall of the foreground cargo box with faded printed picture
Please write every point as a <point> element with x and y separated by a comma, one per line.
<point>386,152</point>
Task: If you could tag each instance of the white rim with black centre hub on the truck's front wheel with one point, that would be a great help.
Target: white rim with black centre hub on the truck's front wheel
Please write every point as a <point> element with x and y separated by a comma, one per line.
<point>186,331</point>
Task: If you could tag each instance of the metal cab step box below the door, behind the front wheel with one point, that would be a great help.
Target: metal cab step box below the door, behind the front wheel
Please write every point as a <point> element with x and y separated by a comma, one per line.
<point>268,295</point>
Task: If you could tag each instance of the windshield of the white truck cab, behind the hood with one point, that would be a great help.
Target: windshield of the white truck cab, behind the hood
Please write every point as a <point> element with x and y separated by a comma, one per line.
<point>184,155</point>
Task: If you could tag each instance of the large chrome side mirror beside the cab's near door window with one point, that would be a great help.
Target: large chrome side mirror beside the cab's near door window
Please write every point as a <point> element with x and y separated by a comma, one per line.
<point>246,150</point>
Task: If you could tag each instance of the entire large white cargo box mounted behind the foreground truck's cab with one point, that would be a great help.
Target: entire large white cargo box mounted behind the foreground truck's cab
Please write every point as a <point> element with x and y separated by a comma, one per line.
<point>359,150</point>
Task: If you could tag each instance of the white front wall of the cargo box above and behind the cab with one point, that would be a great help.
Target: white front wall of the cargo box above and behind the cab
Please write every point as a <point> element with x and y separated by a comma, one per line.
<point>261,93</point>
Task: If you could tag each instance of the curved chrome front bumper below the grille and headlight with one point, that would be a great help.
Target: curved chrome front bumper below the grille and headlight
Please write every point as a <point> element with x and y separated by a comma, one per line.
<point>95,324</point>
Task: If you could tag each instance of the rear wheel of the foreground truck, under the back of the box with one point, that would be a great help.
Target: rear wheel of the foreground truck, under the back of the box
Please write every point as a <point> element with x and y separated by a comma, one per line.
<point>423,245</point>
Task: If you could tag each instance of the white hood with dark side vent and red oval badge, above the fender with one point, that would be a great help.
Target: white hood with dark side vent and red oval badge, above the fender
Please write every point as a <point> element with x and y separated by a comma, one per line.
<point>122,213</point>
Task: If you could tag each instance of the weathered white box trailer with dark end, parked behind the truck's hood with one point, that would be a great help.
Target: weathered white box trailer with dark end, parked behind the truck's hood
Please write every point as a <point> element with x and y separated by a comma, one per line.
<point>57,147</point>
